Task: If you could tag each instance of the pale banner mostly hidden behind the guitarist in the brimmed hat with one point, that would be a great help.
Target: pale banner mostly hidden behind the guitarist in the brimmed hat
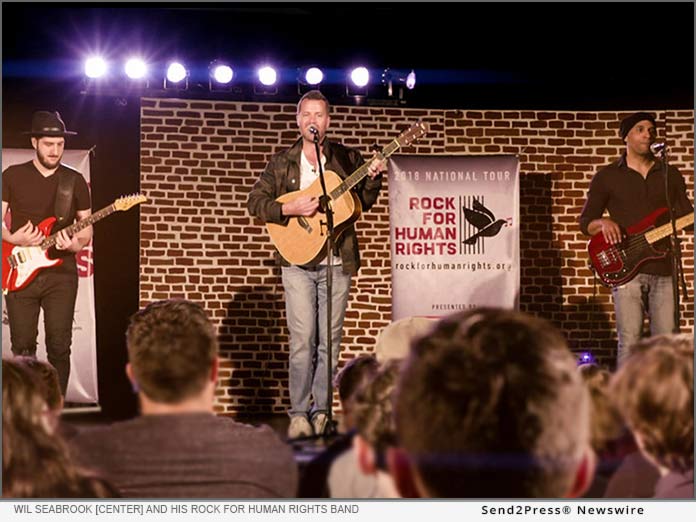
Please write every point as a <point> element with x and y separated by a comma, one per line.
<point>82,386</point>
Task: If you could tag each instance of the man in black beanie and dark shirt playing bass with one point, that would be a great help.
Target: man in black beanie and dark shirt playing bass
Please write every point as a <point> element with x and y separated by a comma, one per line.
<point>630,189</point>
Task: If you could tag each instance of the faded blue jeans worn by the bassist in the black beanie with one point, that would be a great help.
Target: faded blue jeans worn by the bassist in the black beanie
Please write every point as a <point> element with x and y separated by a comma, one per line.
<point>630,307</point>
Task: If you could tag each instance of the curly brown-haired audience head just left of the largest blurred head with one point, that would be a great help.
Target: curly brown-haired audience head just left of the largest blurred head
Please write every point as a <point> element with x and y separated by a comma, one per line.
<point>374,419</point>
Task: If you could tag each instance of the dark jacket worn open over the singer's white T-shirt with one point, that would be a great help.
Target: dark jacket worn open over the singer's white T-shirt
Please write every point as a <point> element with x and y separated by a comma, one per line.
<point>282,175</point>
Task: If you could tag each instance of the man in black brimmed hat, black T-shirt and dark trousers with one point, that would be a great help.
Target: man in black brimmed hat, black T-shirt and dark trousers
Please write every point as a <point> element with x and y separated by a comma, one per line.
<point>36,190</point>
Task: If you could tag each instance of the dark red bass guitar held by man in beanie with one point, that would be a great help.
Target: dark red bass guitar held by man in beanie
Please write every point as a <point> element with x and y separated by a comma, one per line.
<point>617,264</point>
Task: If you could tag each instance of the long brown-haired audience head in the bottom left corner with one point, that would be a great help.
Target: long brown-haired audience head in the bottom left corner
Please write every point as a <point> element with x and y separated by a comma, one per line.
<point>35,461</point>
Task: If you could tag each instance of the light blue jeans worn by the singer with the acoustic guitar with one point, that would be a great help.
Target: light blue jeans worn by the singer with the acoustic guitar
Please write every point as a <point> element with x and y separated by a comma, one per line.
<point>305,308</point>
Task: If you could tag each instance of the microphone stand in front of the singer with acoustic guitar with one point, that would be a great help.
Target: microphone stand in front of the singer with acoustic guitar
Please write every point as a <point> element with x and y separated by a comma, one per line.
<point>325,206</point>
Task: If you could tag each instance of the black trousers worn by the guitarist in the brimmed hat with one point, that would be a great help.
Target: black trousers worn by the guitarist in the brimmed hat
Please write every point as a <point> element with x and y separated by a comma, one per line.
<point>55,292</point>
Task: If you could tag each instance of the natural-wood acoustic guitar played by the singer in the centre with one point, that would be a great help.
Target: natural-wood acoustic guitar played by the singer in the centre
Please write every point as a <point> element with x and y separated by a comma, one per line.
<point>302,239</point>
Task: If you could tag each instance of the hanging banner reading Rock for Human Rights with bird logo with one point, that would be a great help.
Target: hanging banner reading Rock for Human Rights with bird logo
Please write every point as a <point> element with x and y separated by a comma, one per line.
<point>454,224</point>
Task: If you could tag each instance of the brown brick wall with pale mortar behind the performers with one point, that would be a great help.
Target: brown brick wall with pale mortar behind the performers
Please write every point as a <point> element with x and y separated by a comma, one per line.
<point>199,160</point>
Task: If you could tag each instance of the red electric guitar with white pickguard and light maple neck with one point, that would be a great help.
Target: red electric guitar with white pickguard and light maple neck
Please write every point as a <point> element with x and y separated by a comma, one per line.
<point>20,264</point>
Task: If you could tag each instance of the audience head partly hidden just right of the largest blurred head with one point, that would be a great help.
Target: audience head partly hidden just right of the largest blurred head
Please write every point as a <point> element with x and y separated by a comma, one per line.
<point>606,424</point>
